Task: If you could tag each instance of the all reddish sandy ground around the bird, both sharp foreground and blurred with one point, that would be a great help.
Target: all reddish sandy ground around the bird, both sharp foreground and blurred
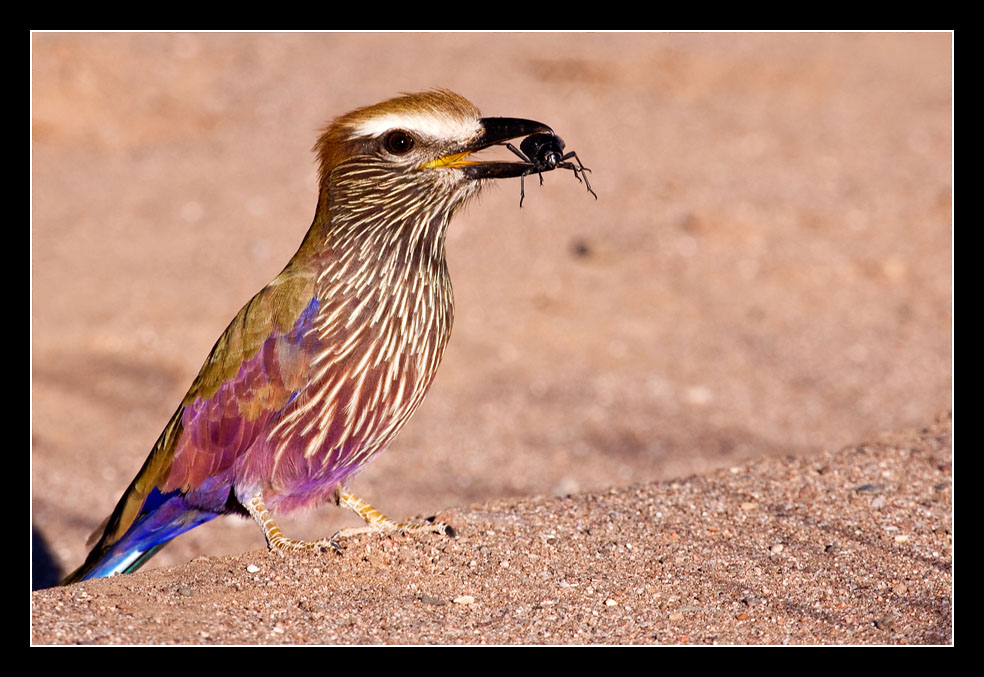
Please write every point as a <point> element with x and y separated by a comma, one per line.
<point>655,404</point>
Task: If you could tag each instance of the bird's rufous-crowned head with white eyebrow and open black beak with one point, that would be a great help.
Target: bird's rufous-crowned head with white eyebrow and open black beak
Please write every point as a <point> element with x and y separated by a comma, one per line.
<point>414,147</point>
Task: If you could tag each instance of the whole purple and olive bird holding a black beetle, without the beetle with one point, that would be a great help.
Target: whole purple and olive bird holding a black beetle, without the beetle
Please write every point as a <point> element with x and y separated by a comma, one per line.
<point>322,368</point>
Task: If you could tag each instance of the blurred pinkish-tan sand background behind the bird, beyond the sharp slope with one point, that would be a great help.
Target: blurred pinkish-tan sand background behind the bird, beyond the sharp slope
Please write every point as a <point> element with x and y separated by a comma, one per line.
<point>767,271</point>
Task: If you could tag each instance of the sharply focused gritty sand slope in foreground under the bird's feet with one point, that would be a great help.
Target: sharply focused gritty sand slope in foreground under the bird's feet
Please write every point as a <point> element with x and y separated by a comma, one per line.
<point>847,547</point>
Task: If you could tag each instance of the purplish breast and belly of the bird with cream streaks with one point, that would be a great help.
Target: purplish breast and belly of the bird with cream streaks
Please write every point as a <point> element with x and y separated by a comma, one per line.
<point>385,310</point>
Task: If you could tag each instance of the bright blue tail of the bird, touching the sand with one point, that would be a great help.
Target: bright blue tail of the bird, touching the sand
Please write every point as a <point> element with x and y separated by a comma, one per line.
<point>163,517</point>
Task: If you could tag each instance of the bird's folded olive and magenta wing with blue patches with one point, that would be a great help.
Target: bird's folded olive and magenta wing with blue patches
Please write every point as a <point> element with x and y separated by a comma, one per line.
<point>255,369</point>
